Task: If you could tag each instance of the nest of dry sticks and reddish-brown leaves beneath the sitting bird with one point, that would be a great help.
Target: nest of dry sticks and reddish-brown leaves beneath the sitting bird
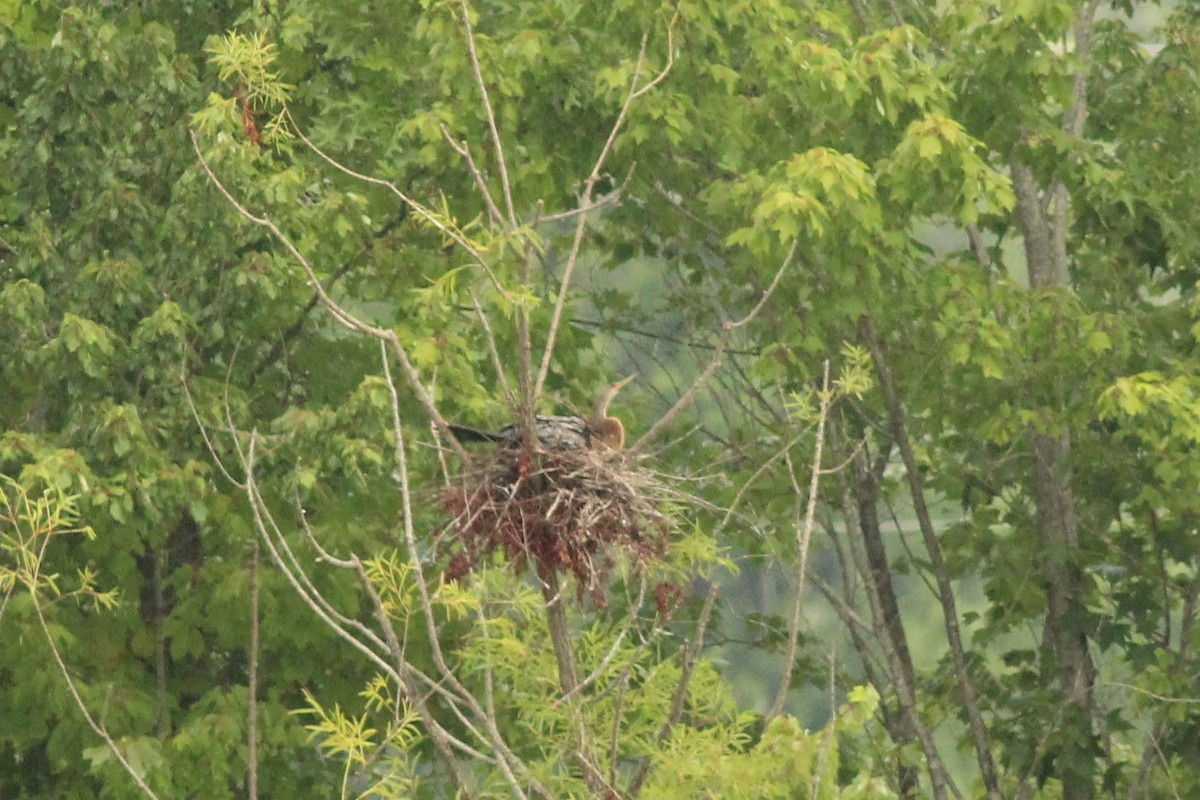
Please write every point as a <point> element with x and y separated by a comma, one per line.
<point>567,512</point>
